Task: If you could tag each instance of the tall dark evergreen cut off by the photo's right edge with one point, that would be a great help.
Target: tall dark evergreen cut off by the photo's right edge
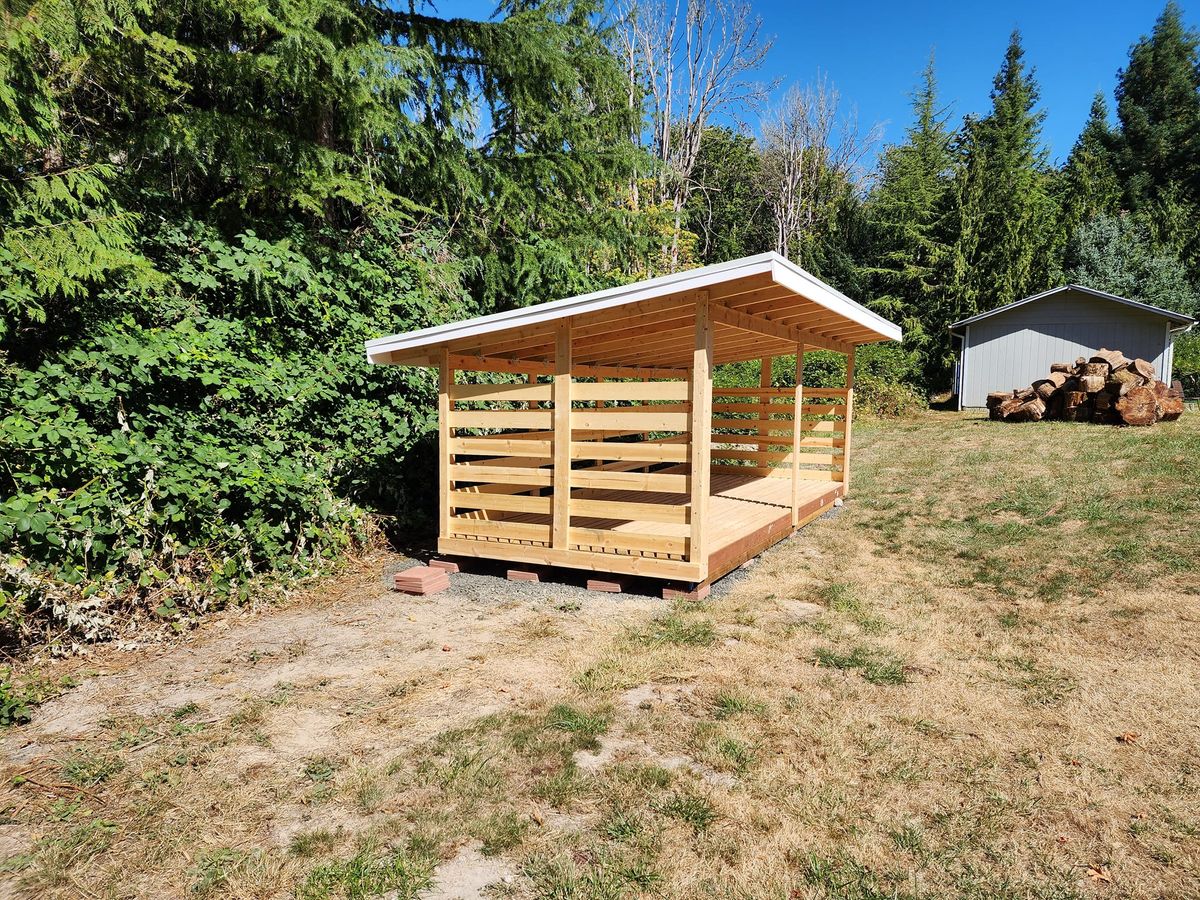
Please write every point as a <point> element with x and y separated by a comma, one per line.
<point>1159,106</point>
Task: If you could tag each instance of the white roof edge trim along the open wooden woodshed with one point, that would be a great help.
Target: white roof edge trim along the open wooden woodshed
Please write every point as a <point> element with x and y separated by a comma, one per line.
<point>782,272</point>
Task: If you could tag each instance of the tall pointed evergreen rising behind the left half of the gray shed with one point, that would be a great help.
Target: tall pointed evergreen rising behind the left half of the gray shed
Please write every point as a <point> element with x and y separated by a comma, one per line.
<point>1004,207</point>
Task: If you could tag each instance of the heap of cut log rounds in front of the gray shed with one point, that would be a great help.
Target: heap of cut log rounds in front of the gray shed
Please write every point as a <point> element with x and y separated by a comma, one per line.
<point>1109,388</point>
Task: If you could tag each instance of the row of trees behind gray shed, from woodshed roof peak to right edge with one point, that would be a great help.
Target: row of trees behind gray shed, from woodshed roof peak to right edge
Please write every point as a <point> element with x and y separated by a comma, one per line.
<point>961,218</point>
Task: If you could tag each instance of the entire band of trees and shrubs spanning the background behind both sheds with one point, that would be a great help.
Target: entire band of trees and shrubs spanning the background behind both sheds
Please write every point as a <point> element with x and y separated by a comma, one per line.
<point>207,207</point>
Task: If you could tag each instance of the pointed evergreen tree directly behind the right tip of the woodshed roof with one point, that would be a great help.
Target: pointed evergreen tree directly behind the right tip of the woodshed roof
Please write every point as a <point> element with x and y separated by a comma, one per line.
<point>908,214</point>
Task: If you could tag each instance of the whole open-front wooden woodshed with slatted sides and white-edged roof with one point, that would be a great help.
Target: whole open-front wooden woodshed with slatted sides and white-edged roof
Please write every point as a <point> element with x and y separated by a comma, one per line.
<point>608,447</point>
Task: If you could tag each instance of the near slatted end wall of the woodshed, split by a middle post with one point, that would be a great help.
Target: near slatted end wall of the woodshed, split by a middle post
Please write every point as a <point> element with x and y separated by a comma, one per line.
<point>628,449</point>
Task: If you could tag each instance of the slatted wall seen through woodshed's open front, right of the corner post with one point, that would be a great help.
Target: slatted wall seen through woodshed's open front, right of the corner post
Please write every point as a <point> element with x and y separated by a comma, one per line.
<point>753,433</point>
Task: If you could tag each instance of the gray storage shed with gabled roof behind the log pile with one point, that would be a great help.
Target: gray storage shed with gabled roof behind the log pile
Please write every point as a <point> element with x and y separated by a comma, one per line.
<point>1012,346</point>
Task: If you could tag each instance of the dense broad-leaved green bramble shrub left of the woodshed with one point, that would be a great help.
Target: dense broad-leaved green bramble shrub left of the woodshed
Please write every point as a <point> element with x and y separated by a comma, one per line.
<point>193,446</point>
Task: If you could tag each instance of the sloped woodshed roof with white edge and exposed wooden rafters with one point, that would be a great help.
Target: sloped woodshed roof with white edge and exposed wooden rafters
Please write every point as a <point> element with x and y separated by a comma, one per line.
<point>761,305</point>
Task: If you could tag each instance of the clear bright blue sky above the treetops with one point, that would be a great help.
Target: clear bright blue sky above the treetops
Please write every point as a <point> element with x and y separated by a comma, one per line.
<point>875,51</point>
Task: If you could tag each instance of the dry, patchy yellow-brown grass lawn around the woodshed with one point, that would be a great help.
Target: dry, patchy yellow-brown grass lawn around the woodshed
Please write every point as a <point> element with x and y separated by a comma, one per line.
<point>980,680</point>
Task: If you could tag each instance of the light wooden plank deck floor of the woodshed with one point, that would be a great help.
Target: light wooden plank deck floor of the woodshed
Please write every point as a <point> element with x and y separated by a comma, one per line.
<point>747,515</point>
